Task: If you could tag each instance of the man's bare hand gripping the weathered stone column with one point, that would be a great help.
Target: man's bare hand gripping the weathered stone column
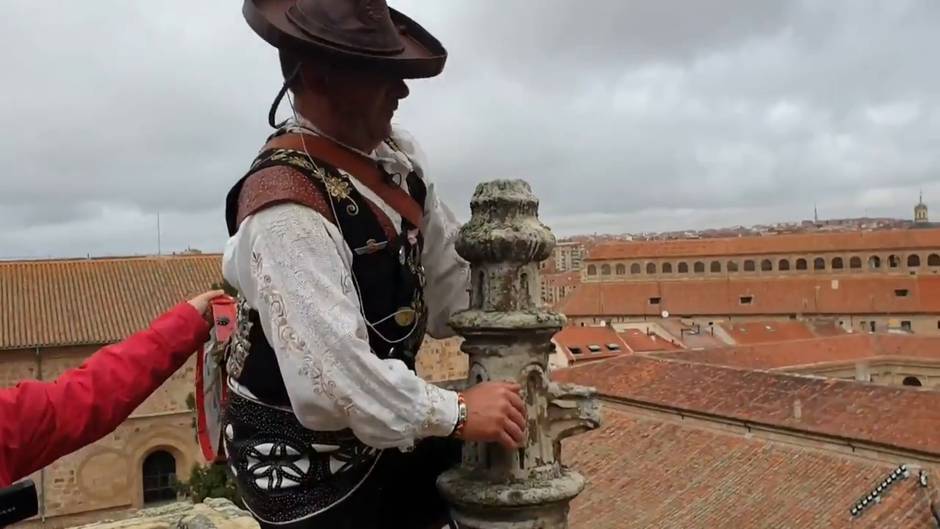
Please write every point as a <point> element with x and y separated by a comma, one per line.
<point>495,414</point>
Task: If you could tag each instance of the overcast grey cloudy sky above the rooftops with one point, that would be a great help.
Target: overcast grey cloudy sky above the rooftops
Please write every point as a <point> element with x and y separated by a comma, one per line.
<point>625,115</point>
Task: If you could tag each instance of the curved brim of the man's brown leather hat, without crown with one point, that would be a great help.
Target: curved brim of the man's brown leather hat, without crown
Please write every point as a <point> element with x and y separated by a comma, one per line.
<point>422,55</point>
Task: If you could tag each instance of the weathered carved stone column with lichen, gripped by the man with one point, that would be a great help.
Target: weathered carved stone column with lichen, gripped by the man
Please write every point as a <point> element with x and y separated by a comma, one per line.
<point>507,333</point>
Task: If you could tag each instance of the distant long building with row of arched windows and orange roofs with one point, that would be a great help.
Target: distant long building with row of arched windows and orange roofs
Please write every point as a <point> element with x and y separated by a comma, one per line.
<point>871,281</point>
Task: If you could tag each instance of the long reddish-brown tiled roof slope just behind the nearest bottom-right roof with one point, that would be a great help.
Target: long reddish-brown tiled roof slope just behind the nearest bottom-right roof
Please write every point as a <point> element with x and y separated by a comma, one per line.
<point>893,416</point>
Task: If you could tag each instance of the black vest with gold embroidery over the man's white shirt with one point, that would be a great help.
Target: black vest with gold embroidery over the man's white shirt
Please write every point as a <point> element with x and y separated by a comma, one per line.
<point>386,271</point>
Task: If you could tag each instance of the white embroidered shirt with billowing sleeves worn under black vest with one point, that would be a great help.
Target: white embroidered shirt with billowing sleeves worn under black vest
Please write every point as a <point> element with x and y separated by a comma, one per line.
<point>293,266</point>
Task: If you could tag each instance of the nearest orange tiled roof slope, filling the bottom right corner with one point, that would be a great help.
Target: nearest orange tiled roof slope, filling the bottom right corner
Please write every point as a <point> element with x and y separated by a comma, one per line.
<point>644,473</point>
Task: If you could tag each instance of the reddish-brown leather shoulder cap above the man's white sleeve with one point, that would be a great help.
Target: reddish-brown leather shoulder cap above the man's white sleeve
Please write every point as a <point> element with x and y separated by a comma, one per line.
<point>276,185</point>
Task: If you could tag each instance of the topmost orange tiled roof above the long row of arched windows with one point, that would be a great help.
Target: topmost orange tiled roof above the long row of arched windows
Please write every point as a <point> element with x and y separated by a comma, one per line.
<point>898,240</point>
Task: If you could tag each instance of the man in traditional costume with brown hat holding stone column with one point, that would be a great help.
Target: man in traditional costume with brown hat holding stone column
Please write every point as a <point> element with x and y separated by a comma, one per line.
<point>343,256</point>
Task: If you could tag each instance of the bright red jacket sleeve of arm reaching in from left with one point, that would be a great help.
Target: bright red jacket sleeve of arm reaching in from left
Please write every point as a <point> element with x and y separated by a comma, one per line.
<point>43,421</point>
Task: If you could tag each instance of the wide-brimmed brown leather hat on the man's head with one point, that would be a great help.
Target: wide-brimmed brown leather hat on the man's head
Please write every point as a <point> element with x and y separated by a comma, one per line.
<point>365,32</point>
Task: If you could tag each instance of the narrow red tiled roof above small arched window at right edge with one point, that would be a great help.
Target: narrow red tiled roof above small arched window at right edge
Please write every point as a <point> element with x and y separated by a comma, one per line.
<point>833,349</point>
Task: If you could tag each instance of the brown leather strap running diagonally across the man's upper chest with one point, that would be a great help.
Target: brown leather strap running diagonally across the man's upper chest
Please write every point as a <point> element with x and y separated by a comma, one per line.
<point>364,169</point>
